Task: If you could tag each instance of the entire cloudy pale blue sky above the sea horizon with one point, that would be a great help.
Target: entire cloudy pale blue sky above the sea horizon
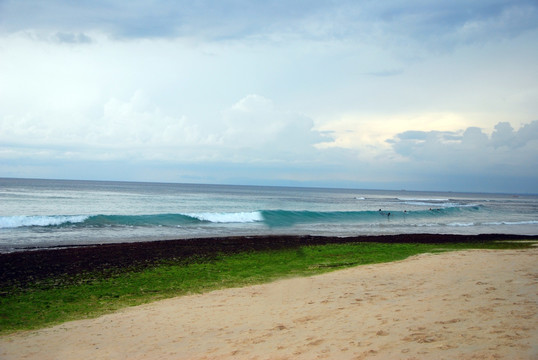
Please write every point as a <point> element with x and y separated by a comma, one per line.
<point>415,94</point>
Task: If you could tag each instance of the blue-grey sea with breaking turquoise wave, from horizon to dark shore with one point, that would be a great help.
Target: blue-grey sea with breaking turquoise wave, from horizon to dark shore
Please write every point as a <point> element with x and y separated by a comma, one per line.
<point>47,213</point>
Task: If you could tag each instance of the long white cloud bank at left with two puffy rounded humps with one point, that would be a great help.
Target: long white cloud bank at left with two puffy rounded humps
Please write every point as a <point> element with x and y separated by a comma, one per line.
<point>253,129</point>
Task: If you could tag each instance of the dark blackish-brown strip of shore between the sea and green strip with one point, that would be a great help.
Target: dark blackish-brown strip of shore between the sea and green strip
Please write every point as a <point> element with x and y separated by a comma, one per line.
<point>24,267</point>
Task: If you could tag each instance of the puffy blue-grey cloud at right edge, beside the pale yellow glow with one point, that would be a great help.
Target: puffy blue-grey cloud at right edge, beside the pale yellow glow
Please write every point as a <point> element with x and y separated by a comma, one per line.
<point>473,150</point>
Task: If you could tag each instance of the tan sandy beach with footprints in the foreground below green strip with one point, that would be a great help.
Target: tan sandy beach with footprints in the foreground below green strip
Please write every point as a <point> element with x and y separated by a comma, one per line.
<point>479,304</point>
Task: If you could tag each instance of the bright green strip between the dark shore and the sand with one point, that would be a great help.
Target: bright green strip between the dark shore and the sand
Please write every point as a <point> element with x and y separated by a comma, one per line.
<point>37,307</point>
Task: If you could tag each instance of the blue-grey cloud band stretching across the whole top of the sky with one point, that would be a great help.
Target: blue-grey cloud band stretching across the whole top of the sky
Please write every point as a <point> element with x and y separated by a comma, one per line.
<point>454,21</point>
